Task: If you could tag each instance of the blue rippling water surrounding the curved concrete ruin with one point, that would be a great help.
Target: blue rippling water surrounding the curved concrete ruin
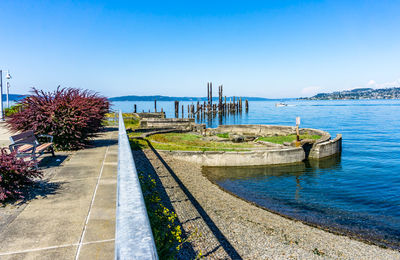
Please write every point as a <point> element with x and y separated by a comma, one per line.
<point>356,193</point>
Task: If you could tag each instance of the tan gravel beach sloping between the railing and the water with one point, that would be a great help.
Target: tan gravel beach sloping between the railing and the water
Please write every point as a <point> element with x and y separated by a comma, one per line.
<point>222,226</point>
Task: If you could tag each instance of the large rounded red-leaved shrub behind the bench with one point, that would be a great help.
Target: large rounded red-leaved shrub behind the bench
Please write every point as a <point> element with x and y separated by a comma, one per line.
<point>70,115</point>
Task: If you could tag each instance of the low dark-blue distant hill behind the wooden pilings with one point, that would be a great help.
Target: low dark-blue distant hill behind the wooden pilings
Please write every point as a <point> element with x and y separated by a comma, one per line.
<point>167,98</point>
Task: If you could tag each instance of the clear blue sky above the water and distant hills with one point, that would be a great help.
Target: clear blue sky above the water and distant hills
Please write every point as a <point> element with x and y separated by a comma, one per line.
<point>272,49</point>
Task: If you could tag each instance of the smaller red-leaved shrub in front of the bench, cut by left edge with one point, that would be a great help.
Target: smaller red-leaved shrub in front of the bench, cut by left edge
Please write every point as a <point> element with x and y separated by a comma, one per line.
<point>15,175</point>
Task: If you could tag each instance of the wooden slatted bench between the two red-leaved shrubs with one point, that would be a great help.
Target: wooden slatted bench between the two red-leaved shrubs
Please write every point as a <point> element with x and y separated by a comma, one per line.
<point>26,145</point>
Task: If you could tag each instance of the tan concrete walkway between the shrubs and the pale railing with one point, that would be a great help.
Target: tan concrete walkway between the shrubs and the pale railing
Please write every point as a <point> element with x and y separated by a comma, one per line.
<point>77,220</point>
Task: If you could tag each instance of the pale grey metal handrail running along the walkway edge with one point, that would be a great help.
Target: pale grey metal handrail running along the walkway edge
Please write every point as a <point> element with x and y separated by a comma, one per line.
<point>133,236</point>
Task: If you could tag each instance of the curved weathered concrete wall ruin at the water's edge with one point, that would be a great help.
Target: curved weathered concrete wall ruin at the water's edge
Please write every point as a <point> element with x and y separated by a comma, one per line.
<point>270,154</point>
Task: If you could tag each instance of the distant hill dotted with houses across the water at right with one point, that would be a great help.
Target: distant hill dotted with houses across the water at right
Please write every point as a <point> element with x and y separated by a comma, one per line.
<point>359,93</point>
